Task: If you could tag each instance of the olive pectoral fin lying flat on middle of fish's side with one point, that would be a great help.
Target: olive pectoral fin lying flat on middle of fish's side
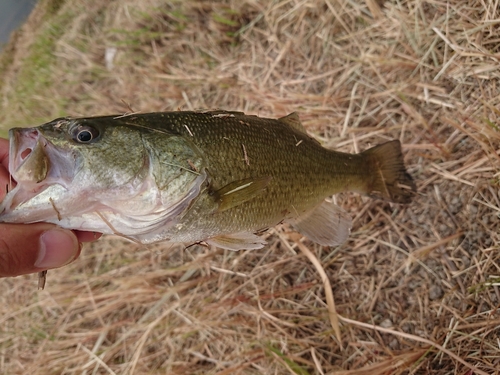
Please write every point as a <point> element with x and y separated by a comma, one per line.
<point>238,192</point>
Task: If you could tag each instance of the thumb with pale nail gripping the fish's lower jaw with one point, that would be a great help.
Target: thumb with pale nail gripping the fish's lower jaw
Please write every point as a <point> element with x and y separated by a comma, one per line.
<point>35,247</point>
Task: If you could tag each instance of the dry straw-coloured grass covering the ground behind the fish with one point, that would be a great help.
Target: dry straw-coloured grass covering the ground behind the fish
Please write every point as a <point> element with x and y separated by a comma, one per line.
<point>416,288</point>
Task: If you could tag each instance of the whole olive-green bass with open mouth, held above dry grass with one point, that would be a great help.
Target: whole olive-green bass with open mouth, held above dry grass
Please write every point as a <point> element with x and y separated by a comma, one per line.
<point>216,177</point>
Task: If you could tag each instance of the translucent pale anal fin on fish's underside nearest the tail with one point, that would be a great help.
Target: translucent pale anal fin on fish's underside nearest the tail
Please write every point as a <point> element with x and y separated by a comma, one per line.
<point>327,224</point>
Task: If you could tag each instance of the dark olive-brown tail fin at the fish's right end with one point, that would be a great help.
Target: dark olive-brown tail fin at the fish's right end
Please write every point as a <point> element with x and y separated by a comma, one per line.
<point>390,181</point>
